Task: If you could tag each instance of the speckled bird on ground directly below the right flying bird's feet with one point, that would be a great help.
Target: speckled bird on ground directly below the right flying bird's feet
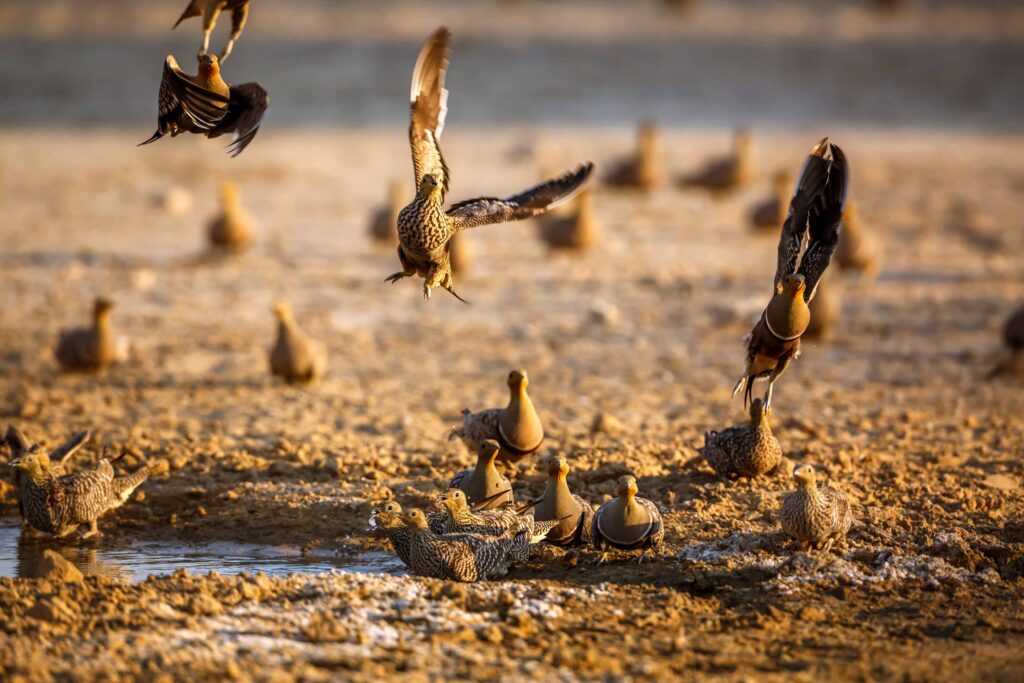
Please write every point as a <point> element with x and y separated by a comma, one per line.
<point>744,451</point>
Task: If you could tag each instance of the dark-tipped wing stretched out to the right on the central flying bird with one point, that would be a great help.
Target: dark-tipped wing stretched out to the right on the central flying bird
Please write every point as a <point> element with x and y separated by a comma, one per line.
<point>534,202</point>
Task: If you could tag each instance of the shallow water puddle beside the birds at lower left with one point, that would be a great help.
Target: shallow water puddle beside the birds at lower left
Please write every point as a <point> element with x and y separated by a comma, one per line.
<point>136,562</point>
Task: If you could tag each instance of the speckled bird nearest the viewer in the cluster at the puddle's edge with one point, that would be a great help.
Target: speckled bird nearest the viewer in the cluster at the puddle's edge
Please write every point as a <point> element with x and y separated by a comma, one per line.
<point>457,558</point>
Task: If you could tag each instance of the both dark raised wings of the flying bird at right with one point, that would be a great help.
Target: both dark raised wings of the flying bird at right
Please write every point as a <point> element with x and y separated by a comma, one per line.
<point>814,219</point>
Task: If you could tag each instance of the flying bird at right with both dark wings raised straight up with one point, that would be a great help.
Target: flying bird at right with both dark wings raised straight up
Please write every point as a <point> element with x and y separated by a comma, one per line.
<point>816,214</point>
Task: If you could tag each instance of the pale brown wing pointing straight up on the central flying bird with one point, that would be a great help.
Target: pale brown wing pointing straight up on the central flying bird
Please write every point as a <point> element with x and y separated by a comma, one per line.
<point>429,107</point>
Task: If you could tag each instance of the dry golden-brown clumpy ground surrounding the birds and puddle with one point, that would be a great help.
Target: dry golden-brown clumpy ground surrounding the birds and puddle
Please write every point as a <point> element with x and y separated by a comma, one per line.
<point>895,409</point>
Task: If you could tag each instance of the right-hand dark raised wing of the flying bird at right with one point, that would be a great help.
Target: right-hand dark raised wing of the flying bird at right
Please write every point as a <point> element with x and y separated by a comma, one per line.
<point>824,221</point>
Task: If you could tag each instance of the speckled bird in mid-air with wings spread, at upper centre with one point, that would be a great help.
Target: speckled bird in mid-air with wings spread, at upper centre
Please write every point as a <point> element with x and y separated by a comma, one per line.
<point>425,229</point>
